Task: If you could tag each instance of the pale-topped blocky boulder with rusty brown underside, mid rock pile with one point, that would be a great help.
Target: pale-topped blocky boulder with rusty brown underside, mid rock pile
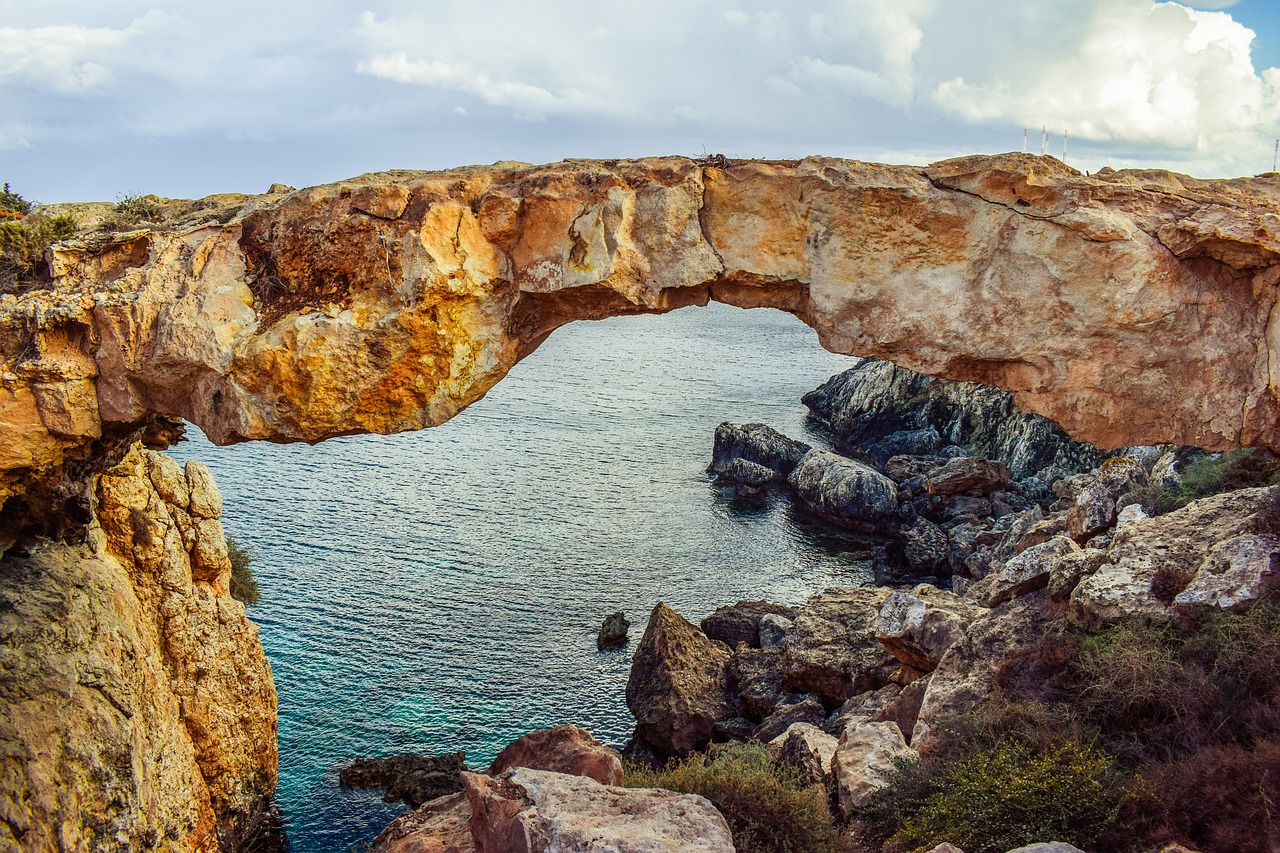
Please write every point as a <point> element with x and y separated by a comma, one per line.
<point>920,627</point>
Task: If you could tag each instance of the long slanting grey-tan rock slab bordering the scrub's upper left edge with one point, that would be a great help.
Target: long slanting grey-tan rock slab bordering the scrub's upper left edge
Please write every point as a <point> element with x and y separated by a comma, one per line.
<point>967,674</point>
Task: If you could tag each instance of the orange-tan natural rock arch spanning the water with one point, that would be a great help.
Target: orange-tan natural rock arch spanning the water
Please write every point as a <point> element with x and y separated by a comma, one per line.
<point>1130,308</point>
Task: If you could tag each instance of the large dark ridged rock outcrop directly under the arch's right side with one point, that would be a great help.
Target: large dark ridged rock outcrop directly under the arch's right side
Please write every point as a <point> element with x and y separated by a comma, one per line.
<point>877,399</point>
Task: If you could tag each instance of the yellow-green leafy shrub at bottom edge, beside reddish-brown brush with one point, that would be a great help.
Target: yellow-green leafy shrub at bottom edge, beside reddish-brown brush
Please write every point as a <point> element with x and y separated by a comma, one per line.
<point>1011,796</point>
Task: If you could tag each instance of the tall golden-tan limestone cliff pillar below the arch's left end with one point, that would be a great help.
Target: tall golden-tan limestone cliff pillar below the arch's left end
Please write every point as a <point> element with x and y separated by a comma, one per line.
<point>138,709</point>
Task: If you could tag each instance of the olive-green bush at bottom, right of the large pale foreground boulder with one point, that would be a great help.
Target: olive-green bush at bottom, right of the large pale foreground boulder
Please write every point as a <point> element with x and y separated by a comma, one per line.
<point>769,809</point>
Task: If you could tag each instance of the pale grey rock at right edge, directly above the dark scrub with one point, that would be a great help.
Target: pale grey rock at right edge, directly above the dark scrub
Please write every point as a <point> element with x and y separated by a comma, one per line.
<point>1236,574</point>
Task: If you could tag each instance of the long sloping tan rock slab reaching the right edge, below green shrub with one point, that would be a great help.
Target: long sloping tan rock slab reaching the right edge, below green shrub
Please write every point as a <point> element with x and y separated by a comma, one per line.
<point>1176,544</point>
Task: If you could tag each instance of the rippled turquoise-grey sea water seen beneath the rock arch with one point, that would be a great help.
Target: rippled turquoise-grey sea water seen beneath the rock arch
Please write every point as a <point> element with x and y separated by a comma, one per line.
<point>441,591</point>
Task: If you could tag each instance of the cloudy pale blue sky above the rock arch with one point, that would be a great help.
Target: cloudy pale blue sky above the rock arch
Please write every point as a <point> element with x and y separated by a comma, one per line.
<point>184,99</point>
